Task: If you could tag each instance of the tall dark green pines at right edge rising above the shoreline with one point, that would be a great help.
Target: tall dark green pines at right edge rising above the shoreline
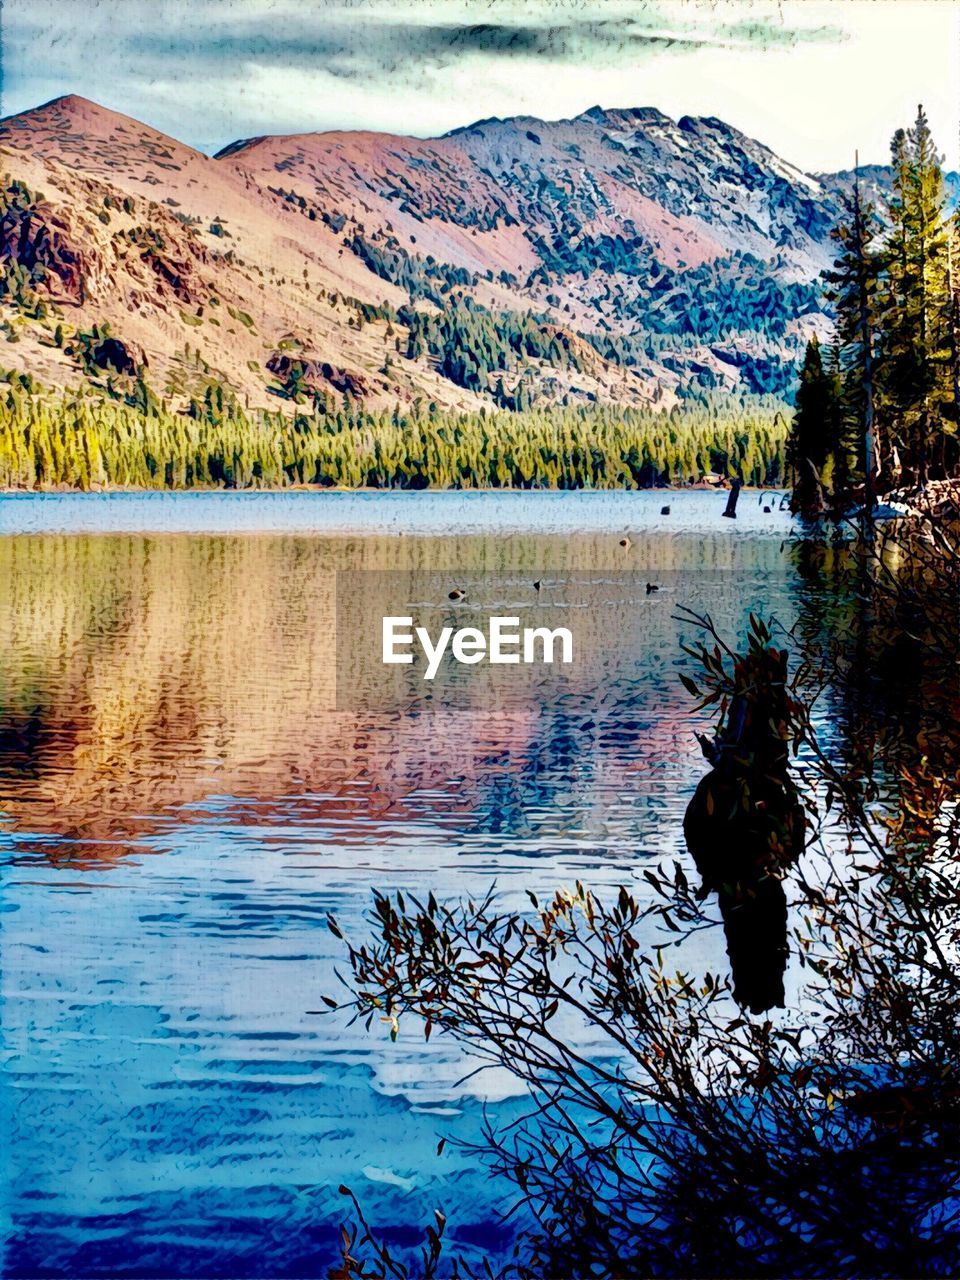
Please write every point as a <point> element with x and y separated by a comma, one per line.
<point>886,412</point>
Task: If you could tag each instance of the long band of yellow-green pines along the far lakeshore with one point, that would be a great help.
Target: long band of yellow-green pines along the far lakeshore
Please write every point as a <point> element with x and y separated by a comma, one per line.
<point>88,441</point>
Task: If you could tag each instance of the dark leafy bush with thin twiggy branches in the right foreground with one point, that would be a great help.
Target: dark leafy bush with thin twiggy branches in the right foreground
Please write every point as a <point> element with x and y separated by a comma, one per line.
<point>693,1140</point>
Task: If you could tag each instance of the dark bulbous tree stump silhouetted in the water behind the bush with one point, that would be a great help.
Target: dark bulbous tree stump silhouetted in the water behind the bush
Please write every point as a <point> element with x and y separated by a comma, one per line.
<point>746,826</point>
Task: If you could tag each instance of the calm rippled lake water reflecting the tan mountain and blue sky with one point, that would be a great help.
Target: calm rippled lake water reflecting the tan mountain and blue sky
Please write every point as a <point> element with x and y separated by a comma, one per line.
<point>184,799</point>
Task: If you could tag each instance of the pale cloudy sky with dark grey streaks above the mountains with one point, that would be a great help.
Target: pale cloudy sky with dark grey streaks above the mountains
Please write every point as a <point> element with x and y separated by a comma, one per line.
<point>812,79</point>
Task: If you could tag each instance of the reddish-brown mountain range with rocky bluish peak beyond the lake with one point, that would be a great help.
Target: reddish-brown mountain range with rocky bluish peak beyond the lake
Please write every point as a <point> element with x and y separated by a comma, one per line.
<point>619,257</point>
